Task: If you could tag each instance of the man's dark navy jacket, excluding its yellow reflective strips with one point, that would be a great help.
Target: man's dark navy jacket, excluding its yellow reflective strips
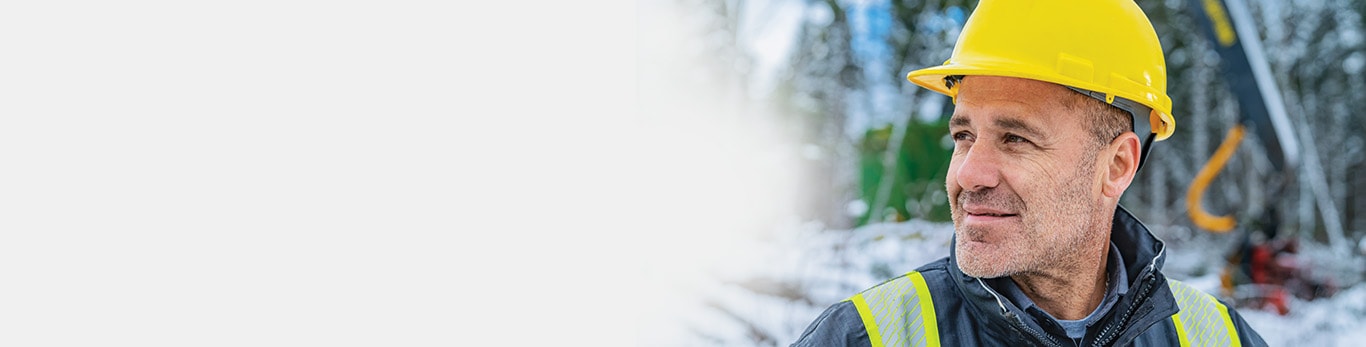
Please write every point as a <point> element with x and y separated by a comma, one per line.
<point>973,314</point>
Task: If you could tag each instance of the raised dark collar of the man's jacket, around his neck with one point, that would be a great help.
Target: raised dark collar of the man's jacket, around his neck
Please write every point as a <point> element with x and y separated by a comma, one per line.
<point>1147,301</point>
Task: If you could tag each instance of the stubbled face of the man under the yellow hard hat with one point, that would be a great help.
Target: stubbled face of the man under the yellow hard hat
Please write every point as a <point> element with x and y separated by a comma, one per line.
<point>1022,182</point>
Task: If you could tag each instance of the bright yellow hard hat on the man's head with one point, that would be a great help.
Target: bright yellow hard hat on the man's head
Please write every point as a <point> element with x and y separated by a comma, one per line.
<point>1106,47</point>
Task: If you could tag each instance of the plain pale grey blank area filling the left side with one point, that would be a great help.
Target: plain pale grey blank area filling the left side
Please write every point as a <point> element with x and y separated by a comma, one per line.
<point>312,173</point>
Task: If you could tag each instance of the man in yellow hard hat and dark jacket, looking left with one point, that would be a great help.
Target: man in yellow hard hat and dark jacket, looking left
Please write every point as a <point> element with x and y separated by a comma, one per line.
<point>1057,105</point>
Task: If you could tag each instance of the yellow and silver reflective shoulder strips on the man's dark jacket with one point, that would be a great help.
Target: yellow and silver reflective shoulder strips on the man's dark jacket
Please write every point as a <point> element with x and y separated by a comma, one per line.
<point>901,312</point>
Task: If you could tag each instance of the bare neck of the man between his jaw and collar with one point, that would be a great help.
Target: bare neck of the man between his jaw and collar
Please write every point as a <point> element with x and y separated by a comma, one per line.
<point>1069,293</point>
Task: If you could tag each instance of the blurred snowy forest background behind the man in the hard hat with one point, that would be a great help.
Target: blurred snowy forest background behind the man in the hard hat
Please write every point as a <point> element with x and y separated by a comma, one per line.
<point>828,165</point>
